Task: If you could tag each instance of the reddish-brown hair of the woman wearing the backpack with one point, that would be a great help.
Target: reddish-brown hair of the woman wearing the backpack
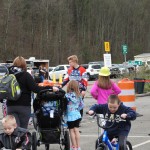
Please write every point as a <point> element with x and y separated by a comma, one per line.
<point>20,62</point>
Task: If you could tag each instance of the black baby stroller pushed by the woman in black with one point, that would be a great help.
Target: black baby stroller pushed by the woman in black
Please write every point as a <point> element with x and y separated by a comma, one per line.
<point>48,120</point>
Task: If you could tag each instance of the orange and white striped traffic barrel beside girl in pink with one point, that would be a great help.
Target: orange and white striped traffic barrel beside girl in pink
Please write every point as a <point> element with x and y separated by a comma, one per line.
<point>127,95</point>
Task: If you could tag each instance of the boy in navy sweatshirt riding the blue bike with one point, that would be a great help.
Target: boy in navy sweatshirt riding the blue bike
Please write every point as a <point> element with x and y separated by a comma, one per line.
<point>115,108</point>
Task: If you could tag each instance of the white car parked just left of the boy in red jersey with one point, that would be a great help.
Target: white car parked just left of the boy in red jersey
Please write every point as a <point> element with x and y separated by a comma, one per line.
<point>59,70</point>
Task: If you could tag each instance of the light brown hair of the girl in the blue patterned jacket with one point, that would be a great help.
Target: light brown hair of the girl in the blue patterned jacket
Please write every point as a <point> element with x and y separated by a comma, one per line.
<point>73,86</point>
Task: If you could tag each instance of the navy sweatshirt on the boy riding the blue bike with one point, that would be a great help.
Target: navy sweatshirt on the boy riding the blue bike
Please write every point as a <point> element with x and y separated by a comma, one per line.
<point>122,127</point>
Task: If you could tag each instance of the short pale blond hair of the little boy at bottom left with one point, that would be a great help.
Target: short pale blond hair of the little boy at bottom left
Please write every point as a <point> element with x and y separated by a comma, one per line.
<point>9,119</point>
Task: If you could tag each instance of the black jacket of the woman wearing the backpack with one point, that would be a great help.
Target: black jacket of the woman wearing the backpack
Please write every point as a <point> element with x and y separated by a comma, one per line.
<point>27,85</point>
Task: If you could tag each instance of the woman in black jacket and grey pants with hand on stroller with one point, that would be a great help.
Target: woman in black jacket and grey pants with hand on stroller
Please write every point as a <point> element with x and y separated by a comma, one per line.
<point>21,108</point>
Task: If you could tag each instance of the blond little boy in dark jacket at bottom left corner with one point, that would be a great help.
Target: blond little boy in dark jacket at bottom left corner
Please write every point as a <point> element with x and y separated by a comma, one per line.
<point>14,137</point>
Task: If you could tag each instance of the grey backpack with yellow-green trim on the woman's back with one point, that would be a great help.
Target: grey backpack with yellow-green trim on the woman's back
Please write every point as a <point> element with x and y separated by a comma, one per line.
<point>9,88</point>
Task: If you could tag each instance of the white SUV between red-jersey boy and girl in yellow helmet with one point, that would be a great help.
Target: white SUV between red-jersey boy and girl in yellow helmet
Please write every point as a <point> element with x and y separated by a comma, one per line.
<point>92,70</point>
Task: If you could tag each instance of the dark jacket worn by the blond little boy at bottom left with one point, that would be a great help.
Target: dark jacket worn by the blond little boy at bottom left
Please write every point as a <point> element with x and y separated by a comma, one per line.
<point>20,138</point>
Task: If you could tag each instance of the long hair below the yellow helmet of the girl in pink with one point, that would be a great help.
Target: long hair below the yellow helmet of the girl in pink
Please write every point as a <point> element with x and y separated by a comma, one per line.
<point>104,82</point>
